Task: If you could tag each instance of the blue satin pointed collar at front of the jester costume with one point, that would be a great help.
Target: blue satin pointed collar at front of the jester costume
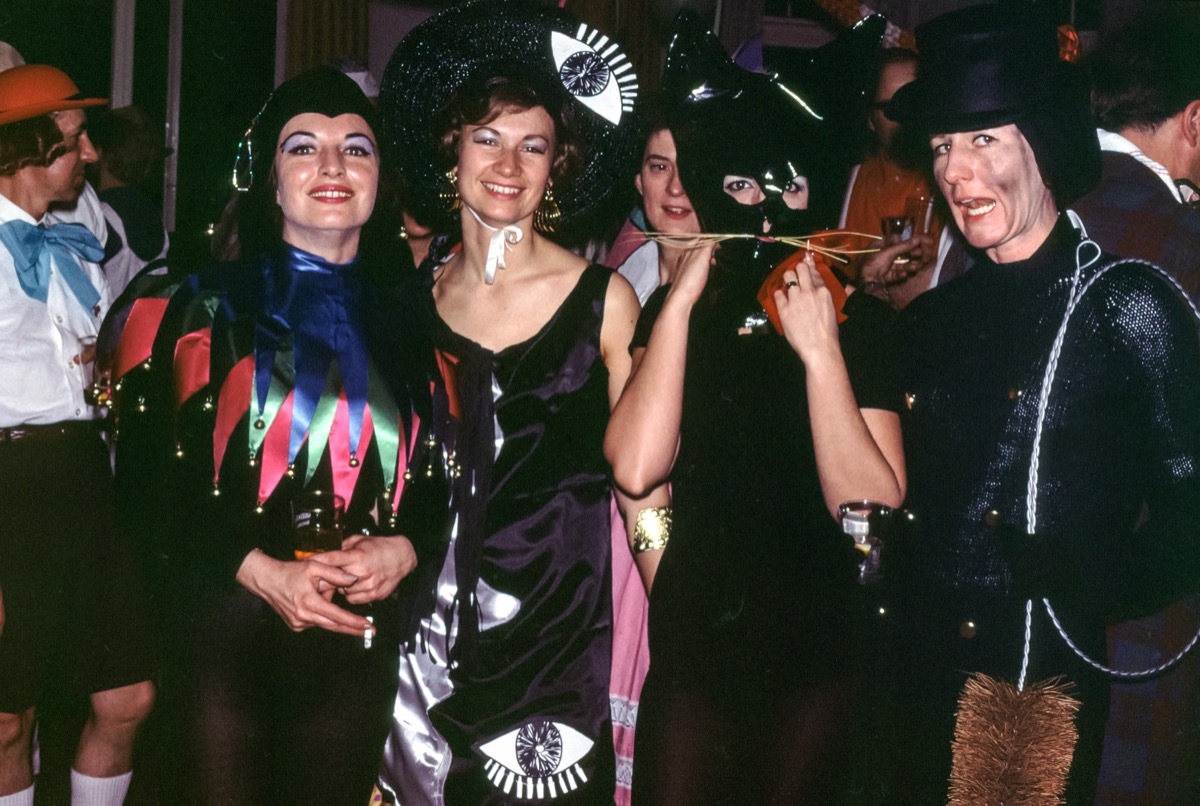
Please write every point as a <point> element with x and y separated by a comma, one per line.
<point>321,304</point>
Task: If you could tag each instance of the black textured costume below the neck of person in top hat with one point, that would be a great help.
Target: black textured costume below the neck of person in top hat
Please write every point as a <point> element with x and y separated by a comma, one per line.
<point>1123,432</point>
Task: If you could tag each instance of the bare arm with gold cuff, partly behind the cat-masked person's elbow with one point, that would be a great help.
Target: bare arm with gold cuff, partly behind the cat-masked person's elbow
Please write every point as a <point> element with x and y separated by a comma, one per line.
<point>621,316</point>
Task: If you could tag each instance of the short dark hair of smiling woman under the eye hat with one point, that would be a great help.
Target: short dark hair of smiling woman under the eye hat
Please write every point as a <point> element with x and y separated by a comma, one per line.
<point>482,101</point>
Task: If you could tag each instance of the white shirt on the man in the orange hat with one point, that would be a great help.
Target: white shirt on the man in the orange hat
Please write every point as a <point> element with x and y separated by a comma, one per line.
<point>41,381</point>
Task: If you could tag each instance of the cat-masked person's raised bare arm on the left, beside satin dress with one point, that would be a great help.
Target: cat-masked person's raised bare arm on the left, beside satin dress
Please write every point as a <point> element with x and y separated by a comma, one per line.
<point>644,432</point>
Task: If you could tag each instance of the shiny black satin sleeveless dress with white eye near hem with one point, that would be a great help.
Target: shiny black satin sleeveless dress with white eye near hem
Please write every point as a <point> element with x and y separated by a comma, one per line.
<point>505,677</point>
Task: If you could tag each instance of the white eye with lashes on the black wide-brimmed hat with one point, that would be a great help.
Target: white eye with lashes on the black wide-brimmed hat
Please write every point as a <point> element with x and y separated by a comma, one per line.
<point>587,64</point>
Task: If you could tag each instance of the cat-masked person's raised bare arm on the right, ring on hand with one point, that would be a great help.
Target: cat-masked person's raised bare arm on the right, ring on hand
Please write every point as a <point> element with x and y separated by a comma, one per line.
<point>859,452</point>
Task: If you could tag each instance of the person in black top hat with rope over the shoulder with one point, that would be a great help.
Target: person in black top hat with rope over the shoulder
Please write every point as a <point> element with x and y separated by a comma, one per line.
<point>995,454</point>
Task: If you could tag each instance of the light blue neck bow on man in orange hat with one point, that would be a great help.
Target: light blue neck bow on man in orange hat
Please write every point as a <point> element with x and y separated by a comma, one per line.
<point>32,249</point>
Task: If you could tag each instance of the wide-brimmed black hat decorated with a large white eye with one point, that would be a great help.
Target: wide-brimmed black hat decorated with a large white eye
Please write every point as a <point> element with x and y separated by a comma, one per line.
<point>529,40</point>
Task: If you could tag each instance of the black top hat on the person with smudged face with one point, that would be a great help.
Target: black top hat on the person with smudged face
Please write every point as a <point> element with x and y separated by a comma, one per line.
<point>986,67</point>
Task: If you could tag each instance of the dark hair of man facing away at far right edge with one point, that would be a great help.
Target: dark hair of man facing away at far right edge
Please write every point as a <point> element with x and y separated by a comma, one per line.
<point>1148,71</point>
